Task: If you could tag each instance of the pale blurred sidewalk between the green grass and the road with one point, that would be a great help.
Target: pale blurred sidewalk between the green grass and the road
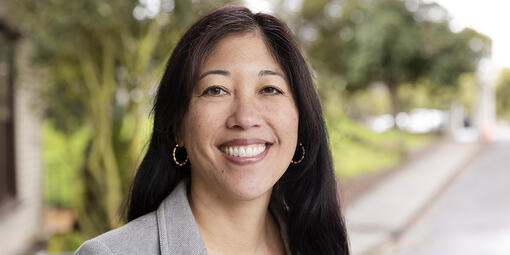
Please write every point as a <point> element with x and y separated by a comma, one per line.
<point>384,212</point>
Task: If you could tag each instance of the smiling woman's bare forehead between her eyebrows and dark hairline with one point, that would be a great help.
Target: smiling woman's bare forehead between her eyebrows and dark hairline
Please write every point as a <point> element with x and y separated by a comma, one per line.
<point>246,50</point>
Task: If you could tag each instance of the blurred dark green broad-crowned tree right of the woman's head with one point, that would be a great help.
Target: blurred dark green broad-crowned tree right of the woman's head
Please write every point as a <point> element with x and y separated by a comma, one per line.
<point>389,41</point>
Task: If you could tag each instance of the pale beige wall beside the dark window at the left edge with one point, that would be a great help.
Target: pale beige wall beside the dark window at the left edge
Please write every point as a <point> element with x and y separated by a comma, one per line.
<point>20,220</point>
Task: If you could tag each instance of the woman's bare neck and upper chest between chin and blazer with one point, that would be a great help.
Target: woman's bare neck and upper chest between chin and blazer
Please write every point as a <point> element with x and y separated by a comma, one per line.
<point>230,226</point>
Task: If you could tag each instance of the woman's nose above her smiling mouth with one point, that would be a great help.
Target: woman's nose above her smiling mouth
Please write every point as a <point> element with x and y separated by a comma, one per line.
<point>245,113</point>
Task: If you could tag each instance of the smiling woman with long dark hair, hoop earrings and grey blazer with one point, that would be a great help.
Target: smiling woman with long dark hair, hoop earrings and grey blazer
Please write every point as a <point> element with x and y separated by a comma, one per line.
<point>238,161</point>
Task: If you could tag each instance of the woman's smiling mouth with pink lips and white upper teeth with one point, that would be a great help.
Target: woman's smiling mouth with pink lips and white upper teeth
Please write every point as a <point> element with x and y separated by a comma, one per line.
<point>245,151</point>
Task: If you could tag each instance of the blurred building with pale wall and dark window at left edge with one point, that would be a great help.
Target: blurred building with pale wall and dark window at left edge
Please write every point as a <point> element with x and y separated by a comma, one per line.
<point>21,197</point>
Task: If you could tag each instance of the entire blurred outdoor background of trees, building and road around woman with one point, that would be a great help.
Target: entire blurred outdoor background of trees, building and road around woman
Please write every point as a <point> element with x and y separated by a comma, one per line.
<point>416,95</point>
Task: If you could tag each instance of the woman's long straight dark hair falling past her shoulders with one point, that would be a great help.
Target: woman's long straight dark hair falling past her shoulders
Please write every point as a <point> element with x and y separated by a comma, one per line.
<point>306,195</point>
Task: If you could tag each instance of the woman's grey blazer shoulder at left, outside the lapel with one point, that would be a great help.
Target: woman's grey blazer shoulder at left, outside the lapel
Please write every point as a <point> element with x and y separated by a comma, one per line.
<point>139,236</point>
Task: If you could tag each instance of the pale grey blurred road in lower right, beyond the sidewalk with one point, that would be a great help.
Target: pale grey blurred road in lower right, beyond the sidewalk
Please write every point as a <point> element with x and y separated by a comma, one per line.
<point>471,216</point>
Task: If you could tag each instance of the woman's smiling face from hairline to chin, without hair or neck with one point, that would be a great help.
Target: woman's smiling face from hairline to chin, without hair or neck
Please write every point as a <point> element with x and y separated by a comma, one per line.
<point>241,128</point>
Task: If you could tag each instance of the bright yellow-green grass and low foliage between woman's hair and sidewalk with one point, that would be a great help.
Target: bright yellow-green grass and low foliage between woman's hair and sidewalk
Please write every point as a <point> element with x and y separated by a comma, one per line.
<point>357,150</point>
